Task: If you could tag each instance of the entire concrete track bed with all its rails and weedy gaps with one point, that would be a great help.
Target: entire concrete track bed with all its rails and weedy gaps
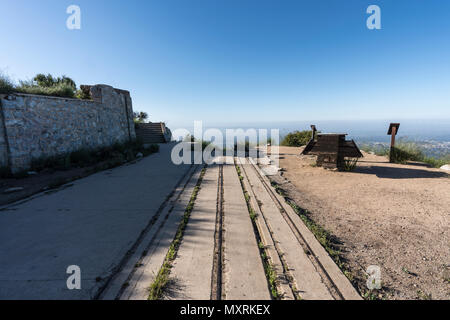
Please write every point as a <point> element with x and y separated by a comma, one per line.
<point>238,240</point>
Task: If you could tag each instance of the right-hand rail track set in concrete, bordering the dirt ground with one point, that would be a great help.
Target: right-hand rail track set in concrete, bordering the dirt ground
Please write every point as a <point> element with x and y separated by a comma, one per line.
<point>324,280</point>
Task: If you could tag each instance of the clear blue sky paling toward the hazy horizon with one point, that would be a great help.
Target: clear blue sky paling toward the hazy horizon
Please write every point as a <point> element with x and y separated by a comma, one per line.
<point>256,60</point>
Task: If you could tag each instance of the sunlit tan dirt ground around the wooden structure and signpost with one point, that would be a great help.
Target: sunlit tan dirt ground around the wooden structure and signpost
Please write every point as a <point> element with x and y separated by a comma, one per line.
<point>393,216</point>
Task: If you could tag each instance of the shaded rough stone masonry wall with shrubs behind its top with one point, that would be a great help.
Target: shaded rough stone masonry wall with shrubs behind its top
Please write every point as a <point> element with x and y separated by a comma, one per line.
<point>34,126</point>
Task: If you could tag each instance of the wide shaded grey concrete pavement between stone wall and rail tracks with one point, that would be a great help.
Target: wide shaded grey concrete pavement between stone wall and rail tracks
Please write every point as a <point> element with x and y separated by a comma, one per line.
<point>92,224</point>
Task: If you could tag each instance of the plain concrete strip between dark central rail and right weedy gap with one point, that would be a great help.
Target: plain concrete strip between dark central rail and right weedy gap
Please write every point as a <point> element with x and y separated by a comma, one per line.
<point>243,275</point>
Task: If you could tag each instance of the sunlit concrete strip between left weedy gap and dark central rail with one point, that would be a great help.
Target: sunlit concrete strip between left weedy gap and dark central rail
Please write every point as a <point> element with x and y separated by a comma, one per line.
<point>192,269</point>
